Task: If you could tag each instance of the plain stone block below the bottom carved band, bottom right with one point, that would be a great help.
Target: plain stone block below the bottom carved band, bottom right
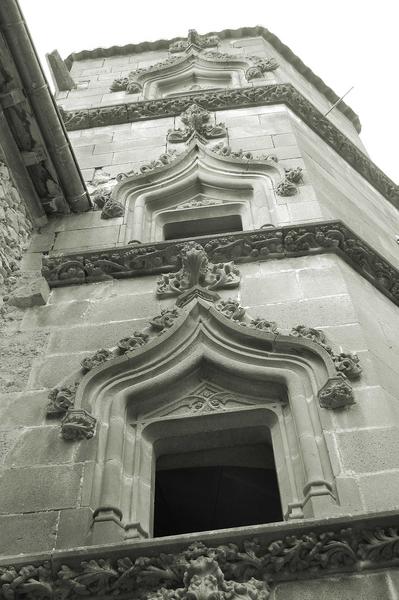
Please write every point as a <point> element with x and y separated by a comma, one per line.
<point>367,586</point>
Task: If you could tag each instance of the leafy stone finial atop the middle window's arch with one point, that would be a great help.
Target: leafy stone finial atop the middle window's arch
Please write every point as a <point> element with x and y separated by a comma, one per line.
<point>197,121</point>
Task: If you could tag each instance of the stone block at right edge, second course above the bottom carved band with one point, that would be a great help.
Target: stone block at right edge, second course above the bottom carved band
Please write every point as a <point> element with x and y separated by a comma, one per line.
<point>368,450</point>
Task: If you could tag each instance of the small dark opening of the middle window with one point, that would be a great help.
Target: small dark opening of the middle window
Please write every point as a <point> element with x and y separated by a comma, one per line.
<point>198,227</point>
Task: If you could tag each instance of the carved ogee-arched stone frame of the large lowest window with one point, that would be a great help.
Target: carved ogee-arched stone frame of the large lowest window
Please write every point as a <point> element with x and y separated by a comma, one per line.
<point>114,391</point>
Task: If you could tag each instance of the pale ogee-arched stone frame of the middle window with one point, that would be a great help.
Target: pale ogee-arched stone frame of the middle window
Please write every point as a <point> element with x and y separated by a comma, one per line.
<point>156,198</point>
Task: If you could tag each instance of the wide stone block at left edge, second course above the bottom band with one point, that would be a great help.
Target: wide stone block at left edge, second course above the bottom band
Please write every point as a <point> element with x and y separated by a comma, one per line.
<point>32,489</point>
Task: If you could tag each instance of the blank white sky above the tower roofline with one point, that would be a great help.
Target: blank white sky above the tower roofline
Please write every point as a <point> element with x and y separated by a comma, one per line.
<point>346,42</point>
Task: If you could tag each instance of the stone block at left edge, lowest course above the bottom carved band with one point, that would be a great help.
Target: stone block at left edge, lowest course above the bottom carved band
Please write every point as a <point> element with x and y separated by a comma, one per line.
<point>30,533</point>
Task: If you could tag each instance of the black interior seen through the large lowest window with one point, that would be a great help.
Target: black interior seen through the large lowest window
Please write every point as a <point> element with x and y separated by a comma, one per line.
<point>217,496</point>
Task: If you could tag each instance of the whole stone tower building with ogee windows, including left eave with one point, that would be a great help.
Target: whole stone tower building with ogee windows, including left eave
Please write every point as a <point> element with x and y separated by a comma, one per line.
<point>199,351</point>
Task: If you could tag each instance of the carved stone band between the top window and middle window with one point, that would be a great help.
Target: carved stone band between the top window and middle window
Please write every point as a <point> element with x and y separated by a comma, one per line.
<point>283,93</point>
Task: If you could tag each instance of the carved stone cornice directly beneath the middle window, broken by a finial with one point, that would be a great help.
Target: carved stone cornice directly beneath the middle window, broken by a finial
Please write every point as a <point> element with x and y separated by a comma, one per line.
<point>263,244</point>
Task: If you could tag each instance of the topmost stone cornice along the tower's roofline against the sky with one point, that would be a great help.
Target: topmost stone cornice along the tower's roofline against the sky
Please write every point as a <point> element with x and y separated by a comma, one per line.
<point>227,34</point>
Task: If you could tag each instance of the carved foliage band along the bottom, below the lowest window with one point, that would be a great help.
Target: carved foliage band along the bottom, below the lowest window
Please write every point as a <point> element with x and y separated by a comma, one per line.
<point>199,572</point>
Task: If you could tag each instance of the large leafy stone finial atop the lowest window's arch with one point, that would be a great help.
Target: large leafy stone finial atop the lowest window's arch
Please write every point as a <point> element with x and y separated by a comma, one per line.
<point>197,272</point>
